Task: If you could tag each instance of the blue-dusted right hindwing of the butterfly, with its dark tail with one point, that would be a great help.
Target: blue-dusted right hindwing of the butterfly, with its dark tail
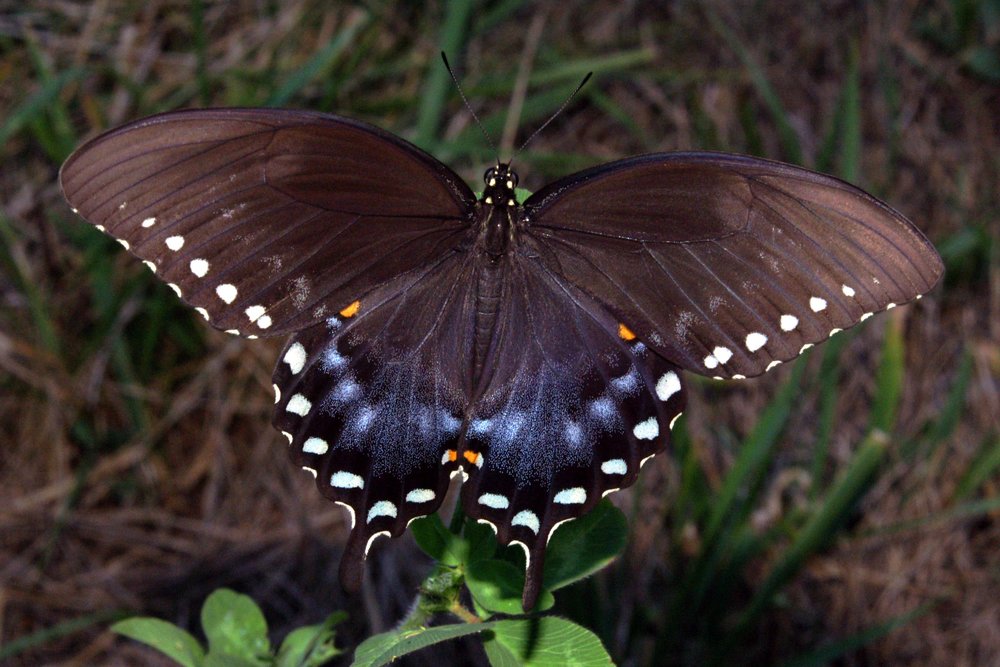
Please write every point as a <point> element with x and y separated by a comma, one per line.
<point>570,406</point>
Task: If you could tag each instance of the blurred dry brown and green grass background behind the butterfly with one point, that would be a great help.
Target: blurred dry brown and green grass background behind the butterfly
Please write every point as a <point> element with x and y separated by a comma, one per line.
<point>841,510</point>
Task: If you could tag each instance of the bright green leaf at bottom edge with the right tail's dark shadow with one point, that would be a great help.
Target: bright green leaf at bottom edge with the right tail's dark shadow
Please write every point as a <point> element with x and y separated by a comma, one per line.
<point>550,641</point>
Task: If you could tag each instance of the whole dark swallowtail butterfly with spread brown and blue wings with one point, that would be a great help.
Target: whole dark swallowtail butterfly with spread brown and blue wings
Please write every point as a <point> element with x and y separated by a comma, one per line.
<point>536,349</point>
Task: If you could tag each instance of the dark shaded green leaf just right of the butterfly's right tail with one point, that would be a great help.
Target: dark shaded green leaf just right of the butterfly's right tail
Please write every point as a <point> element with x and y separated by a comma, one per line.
<point>580,548</point>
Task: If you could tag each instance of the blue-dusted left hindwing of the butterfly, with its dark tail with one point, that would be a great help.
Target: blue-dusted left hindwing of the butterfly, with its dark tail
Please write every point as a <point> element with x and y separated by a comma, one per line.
<point>373,399</point>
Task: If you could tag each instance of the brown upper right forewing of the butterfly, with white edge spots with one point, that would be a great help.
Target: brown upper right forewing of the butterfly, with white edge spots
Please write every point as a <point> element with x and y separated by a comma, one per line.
<point>729,264</point>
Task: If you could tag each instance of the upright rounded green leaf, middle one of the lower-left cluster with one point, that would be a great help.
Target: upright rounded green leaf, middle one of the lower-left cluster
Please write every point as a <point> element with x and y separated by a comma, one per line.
<point>235,626</point>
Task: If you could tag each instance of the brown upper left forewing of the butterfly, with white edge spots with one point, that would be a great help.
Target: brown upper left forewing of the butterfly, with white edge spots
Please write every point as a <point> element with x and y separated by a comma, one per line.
<point>263,218</point>
